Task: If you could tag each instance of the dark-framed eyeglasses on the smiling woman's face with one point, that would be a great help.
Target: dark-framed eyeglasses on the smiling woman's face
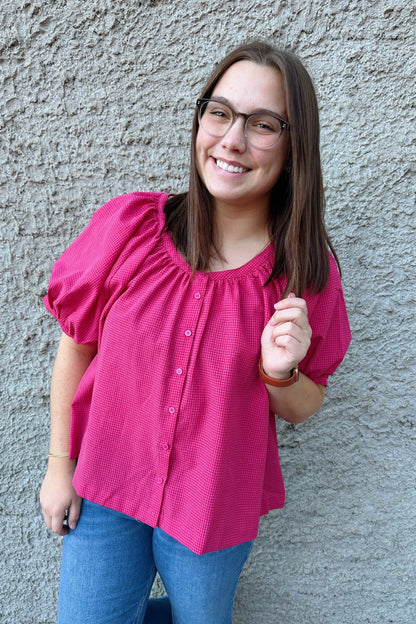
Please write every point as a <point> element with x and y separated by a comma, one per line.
<point>262,130</point>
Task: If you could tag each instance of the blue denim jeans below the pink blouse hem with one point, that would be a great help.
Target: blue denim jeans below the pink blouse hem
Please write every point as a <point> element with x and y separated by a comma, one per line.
<point>109,563</point>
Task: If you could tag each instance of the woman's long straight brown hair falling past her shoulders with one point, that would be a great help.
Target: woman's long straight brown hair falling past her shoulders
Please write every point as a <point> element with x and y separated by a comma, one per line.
<point>296,216</point>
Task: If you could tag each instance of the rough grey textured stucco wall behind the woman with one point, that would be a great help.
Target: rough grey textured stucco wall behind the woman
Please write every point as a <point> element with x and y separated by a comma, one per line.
<point>96,100</point>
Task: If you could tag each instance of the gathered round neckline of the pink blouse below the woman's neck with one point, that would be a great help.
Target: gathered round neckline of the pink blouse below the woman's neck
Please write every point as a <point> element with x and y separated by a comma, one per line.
<point>263,258</point>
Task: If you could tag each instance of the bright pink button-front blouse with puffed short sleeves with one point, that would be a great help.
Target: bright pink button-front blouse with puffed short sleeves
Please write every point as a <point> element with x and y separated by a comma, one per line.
<point>171,422</point>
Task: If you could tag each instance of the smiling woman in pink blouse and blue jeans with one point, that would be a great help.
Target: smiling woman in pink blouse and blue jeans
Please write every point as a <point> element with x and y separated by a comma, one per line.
<point>189,321</point>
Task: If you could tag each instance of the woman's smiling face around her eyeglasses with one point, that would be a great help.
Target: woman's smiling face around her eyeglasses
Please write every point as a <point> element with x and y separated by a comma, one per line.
<point>248,88</point>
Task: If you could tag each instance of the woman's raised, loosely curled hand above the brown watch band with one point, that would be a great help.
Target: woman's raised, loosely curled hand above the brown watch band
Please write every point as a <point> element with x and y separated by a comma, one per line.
<point>286,338</point>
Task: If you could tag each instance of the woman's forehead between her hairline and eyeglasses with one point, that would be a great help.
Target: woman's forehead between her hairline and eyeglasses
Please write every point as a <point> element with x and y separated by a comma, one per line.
<point>249,86</point>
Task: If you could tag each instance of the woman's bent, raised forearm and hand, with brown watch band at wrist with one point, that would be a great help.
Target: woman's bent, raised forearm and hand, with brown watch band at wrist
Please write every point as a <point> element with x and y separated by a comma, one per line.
<point>285,342</point>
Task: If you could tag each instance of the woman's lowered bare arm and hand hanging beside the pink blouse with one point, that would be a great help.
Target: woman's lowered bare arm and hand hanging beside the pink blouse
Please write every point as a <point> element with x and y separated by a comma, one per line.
<point>57,493</point>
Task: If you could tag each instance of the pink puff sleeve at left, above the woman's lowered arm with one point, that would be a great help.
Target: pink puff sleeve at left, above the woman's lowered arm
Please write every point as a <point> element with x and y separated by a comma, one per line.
<point>82,284</point>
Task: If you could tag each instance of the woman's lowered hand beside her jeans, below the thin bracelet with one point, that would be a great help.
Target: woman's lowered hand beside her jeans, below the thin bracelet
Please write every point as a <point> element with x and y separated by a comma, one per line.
<point>58,499</point>
